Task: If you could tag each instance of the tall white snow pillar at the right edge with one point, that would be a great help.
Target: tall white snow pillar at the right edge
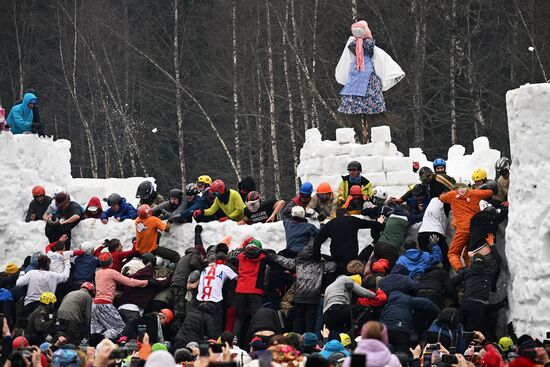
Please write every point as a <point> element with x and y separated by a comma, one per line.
<point>528,231</point>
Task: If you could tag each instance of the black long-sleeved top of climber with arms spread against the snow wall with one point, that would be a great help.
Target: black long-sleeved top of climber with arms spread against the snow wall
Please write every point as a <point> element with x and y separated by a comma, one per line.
<point>342,231</point>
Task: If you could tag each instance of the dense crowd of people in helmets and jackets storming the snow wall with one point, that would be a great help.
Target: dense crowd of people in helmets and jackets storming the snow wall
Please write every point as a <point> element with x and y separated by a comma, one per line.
<point>418,293</point>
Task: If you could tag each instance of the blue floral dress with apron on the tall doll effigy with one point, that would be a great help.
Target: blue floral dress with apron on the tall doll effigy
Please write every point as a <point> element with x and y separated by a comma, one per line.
<point>363,93</point>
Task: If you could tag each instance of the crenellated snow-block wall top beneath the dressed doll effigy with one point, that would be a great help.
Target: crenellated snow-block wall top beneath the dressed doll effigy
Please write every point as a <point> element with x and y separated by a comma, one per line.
<point>325,160</point>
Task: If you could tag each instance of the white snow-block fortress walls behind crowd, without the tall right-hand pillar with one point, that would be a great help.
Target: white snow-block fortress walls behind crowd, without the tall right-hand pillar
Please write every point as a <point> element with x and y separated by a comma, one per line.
<point>28,160</point>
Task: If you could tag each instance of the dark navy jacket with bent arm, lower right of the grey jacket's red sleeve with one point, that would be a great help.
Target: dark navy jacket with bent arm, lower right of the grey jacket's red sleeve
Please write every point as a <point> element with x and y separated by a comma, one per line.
<point>397,314</point>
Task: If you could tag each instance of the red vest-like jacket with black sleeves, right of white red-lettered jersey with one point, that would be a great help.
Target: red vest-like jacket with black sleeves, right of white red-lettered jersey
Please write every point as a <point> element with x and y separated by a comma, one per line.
<point>251,274</point>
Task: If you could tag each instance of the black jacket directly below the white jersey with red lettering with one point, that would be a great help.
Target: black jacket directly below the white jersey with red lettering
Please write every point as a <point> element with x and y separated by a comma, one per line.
<point>198,326</point>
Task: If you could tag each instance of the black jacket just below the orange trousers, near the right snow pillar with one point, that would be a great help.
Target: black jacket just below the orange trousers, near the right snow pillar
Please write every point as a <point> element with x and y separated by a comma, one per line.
<point>478,279</point>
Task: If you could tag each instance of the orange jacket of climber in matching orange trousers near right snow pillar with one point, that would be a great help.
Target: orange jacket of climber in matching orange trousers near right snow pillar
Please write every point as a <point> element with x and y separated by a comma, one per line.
<point>464,207</point>
